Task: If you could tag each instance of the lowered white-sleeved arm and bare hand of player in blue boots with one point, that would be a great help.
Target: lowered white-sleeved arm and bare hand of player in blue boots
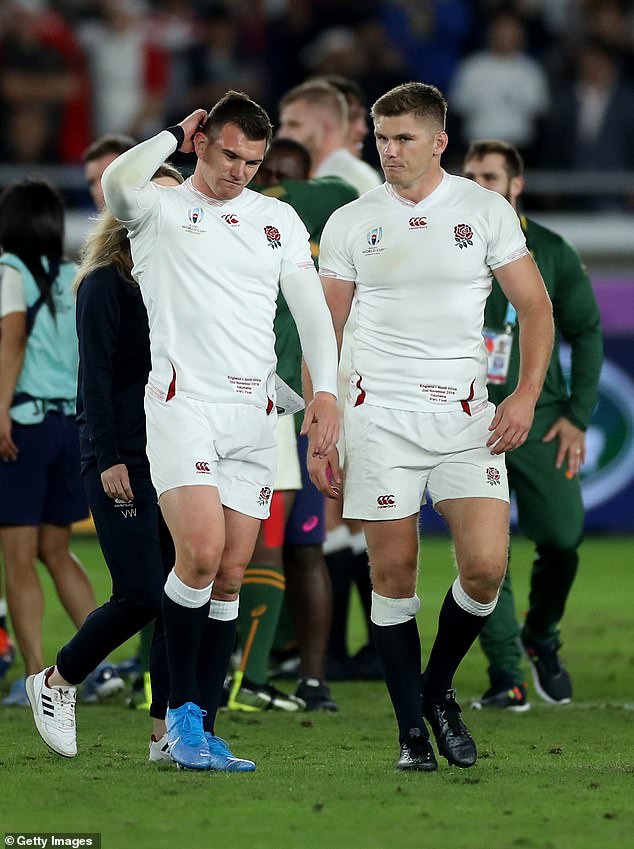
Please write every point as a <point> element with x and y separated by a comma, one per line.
<point>305,299</point>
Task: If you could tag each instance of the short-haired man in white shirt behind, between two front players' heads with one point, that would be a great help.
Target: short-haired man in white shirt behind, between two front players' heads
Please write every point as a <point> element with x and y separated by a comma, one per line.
<point>315,114</point>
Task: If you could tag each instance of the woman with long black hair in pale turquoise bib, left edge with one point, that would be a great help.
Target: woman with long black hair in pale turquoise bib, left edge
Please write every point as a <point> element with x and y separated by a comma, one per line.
<point>40,486</point>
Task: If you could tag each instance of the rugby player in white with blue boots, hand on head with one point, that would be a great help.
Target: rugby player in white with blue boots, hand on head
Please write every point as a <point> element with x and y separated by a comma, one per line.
<point>209,258</point>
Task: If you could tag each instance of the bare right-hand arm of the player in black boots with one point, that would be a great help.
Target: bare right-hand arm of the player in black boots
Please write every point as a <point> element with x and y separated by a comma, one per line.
<point>522,284</point>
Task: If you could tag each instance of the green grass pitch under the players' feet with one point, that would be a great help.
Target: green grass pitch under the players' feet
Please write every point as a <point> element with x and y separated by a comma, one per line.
<point>552,778</point>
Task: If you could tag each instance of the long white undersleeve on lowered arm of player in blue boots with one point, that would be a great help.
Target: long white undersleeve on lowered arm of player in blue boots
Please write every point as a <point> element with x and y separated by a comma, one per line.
<point>305,298</point>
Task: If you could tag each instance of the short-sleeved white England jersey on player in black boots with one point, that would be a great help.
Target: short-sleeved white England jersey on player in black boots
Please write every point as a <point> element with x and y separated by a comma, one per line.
<point>423,274</point>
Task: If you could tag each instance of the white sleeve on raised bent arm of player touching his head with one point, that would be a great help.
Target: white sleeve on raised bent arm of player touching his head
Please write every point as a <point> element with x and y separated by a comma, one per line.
<point>126,182</point>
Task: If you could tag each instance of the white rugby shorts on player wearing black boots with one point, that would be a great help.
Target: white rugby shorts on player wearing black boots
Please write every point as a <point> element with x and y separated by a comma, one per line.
<point>392,456</point>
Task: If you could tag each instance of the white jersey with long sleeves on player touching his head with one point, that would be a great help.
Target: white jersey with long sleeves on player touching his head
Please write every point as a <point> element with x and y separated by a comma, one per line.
<point>209,273</point>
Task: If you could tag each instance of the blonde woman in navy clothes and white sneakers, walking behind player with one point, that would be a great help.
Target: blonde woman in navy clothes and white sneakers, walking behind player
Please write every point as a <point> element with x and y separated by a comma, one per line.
<point>114,349</point>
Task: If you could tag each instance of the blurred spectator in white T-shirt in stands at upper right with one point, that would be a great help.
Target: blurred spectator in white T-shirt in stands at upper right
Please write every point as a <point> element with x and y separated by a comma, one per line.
<point>500,91</point>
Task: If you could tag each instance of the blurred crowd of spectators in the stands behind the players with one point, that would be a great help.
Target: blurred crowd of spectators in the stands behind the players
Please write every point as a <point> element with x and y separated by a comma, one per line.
<point>555,77</point>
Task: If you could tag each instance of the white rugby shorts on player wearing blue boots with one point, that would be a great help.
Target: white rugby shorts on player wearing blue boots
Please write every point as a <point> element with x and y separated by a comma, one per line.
<point>230,446</point>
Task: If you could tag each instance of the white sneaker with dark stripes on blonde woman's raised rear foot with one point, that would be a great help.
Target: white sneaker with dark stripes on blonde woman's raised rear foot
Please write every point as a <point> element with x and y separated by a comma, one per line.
<point>54,713</point>
